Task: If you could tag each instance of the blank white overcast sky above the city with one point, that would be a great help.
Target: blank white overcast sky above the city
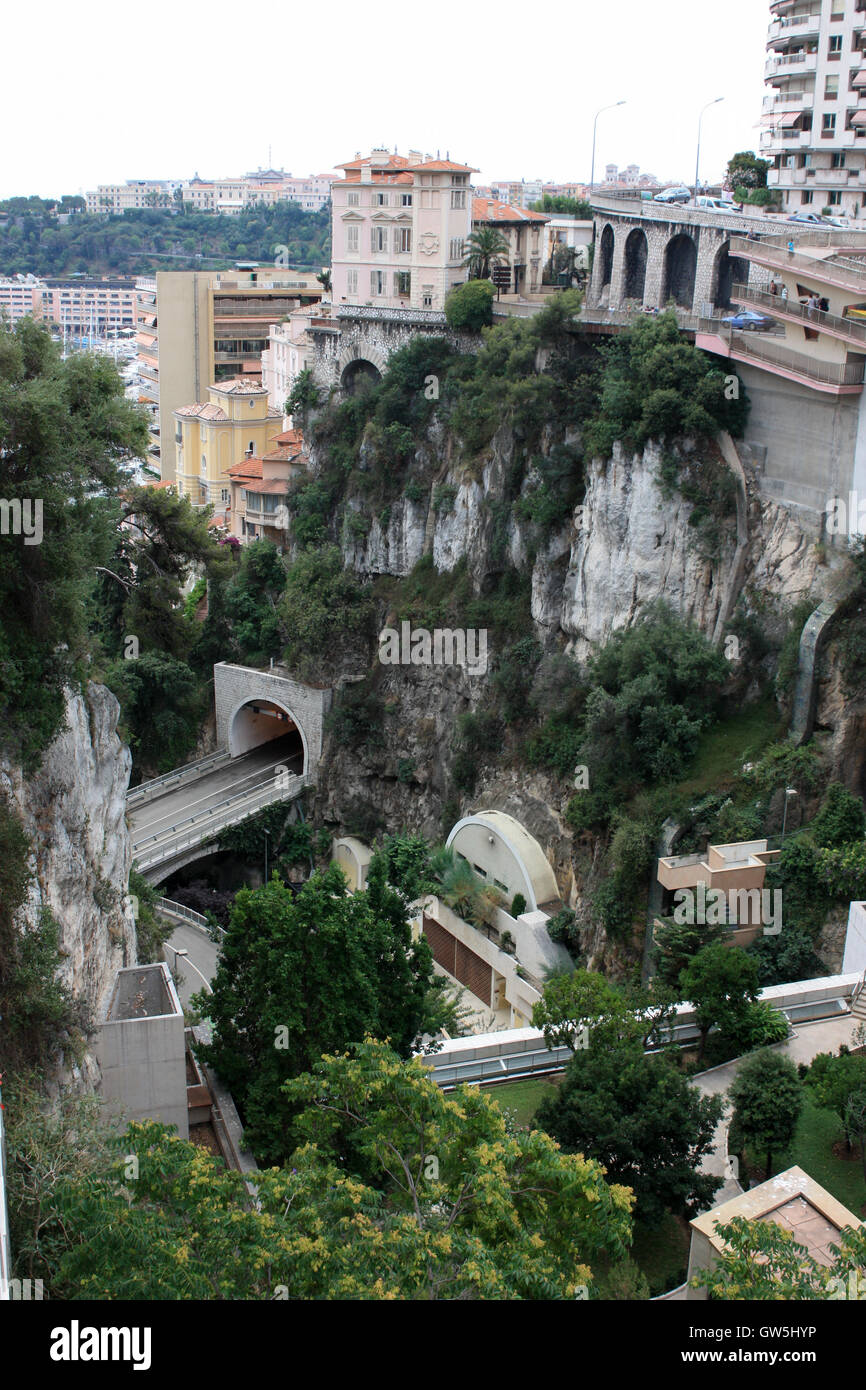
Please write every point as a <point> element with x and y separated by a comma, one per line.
<point>108,92</point>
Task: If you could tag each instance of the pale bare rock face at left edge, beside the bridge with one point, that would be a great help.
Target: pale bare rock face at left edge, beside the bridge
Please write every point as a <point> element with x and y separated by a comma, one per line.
<point>74,814</point>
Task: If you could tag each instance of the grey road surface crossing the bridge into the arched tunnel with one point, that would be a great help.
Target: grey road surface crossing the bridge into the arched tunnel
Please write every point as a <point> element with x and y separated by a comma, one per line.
<point>243,775</point>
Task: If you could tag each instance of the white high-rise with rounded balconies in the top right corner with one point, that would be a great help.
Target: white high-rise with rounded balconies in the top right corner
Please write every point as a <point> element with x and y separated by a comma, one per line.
<point>815,111</point>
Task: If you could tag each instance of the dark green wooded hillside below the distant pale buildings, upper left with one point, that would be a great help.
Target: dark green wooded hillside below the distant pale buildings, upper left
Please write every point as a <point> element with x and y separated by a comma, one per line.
<point>149,240</point>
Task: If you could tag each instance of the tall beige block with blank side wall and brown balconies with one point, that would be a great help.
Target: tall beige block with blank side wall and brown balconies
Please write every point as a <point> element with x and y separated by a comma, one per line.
<point>215,326</point>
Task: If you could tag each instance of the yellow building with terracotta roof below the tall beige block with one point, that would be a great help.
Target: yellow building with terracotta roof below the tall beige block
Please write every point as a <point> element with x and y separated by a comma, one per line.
<point>213,436</point>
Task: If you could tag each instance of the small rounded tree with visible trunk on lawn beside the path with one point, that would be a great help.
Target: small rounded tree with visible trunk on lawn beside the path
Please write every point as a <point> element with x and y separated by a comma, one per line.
<point>768,1097</point>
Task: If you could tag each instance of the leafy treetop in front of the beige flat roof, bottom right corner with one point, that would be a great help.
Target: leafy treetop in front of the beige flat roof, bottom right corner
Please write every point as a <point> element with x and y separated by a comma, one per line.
<point>762,1261</point>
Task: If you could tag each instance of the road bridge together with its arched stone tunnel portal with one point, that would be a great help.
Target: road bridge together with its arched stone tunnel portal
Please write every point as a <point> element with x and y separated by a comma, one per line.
<point>270,735</point>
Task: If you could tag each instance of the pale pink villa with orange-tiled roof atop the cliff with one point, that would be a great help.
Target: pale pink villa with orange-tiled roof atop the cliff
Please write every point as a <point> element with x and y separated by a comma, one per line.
<point>400,230</point>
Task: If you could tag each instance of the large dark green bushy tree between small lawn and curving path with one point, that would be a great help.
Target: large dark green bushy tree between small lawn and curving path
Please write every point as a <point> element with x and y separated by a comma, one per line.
<point>643,1121</point>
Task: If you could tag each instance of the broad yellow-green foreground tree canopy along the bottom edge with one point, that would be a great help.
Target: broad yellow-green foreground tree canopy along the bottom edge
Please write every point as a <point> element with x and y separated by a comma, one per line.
<point>454,1207</point>
